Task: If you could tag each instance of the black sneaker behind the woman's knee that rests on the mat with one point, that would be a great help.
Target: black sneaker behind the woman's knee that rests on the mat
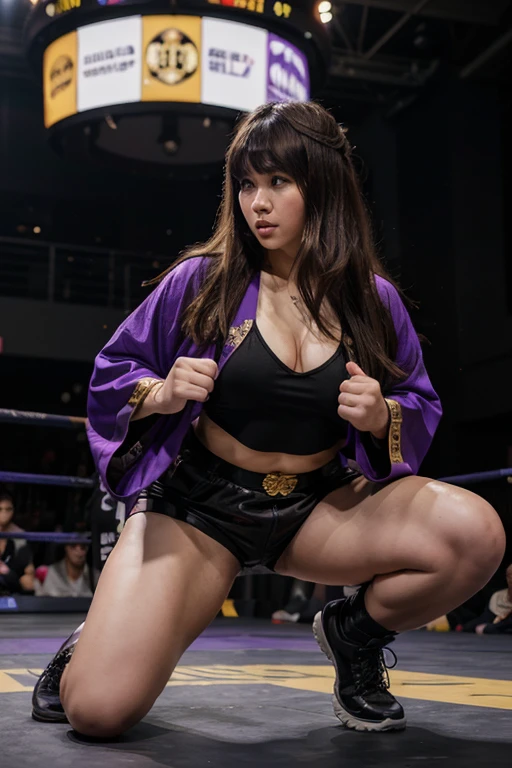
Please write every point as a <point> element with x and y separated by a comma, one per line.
<point>46,705</point>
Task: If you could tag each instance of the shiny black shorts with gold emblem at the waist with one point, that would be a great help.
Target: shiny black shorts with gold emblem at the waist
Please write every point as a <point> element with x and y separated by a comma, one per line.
<point>255,516</point>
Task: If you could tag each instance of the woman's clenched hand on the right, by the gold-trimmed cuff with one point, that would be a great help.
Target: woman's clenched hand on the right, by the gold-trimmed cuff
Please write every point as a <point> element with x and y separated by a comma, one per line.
<point>362,404</point>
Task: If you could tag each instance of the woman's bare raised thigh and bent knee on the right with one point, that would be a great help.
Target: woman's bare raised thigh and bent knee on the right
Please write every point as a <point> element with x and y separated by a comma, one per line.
<point>364,530</point>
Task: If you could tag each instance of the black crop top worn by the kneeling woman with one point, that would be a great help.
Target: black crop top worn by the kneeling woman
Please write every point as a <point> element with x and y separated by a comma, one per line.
<point>268,407</point>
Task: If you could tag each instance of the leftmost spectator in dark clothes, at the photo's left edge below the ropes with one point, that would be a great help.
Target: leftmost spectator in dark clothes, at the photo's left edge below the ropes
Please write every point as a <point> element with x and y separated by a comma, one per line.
<point>16,566</point>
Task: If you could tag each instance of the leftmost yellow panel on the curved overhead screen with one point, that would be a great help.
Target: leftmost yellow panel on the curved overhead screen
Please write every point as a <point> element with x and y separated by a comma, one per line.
<point>59,79</point>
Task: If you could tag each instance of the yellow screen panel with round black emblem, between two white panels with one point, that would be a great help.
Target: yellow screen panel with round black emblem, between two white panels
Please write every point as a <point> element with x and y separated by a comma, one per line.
<point>171,58</point>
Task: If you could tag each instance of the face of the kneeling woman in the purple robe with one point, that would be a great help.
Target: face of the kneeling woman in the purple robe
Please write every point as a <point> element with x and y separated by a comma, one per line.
<point>276,199</point>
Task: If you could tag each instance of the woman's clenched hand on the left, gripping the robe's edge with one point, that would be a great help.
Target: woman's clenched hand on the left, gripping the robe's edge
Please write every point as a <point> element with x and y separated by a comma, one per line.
<point>190,378</point>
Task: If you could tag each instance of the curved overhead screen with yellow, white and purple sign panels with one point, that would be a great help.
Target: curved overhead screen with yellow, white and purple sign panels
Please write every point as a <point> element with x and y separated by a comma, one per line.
<point>169,58</point>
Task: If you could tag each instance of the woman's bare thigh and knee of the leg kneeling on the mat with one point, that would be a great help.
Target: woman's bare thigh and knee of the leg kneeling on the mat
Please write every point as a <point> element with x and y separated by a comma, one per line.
<point>164,582</point>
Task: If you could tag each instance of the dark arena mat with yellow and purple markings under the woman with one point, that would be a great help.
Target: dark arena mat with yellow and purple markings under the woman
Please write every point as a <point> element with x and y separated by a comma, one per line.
<point>248,693</point>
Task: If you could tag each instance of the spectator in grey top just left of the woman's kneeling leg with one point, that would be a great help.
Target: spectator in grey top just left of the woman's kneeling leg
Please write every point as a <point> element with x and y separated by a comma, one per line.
<point>70,576</point>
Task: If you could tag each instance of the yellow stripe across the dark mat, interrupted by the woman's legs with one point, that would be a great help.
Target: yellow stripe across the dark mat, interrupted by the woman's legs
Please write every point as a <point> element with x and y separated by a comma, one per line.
<point>451,689</point>
